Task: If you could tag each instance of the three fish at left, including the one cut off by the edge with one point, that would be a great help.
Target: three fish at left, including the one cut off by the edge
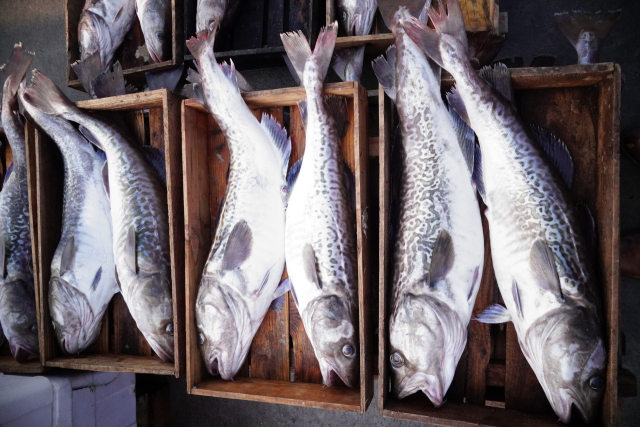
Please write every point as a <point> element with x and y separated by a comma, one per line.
<point>115,228</point>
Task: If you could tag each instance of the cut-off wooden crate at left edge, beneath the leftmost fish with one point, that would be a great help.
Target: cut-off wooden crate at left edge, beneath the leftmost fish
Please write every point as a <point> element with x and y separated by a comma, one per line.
<point>8,364</point>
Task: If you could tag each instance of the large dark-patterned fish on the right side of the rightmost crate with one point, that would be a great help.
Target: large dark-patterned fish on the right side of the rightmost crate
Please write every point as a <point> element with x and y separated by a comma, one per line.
<point>541,257</point>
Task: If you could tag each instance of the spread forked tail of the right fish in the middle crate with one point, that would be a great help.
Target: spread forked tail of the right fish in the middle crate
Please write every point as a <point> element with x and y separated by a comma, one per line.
<point>299,52</point>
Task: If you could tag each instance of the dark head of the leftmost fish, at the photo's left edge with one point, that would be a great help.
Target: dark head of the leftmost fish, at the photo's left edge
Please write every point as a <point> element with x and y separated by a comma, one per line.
<point>18,318</point>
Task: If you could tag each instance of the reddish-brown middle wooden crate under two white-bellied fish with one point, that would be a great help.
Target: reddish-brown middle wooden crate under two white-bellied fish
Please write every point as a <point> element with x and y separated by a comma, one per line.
<point>281,366</point>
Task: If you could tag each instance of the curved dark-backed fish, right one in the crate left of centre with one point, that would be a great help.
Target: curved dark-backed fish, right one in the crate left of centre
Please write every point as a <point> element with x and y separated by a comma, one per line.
<point>138,213</point>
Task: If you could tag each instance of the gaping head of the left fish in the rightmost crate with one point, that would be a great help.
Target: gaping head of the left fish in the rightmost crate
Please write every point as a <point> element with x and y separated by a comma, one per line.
<point>426,341</point>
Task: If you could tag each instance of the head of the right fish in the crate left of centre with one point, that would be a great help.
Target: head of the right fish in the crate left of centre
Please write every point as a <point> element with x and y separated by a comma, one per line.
<point>153,312</point>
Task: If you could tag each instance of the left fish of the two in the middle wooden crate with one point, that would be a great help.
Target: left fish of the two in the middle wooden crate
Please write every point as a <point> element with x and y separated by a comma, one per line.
<point>241,278</point>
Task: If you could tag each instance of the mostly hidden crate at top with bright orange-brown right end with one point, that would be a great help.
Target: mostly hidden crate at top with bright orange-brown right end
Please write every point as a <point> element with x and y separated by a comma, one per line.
<point>479,16</point>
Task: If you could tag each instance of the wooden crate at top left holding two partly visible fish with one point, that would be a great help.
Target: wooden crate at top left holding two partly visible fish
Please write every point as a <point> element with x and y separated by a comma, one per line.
<point>133,68</point>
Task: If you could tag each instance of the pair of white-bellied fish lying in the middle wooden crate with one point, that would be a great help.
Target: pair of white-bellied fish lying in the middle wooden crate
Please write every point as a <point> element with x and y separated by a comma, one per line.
<point>266,218</point>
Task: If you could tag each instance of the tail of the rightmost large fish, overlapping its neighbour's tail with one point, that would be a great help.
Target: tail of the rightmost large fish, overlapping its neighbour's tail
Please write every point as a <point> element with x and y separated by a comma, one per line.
<point>450,22</point>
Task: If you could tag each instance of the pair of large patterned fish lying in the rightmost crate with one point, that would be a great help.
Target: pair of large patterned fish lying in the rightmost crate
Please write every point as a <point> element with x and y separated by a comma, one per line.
<point>542,244</point>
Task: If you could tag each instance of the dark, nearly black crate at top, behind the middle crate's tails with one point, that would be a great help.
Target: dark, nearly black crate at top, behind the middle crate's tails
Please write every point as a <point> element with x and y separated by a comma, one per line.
<point>254,41</point>
